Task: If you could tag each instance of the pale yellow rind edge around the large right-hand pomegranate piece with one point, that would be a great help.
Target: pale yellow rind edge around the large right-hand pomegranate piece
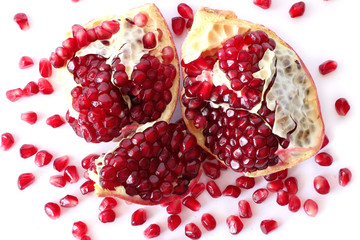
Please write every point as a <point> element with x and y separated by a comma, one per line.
<point>213,27</point>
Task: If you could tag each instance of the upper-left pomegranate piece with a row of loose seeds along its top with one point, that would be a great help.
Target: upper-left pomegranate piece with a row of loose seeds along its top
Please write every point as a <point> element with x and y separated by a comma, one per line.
<point>122,71</point>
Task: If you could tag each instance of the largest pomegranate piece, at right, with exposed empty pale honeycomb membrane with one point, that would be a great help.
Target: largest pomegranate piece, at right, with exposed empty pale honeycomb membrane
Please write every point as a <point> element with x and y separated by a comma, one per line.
<point>247,97</point>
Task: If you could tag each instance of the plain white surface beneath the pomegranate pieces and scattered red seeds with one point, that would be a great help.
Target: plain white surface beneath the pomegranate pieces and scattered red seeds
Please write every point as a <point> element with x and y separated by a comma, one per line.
<point>328,30</point>
